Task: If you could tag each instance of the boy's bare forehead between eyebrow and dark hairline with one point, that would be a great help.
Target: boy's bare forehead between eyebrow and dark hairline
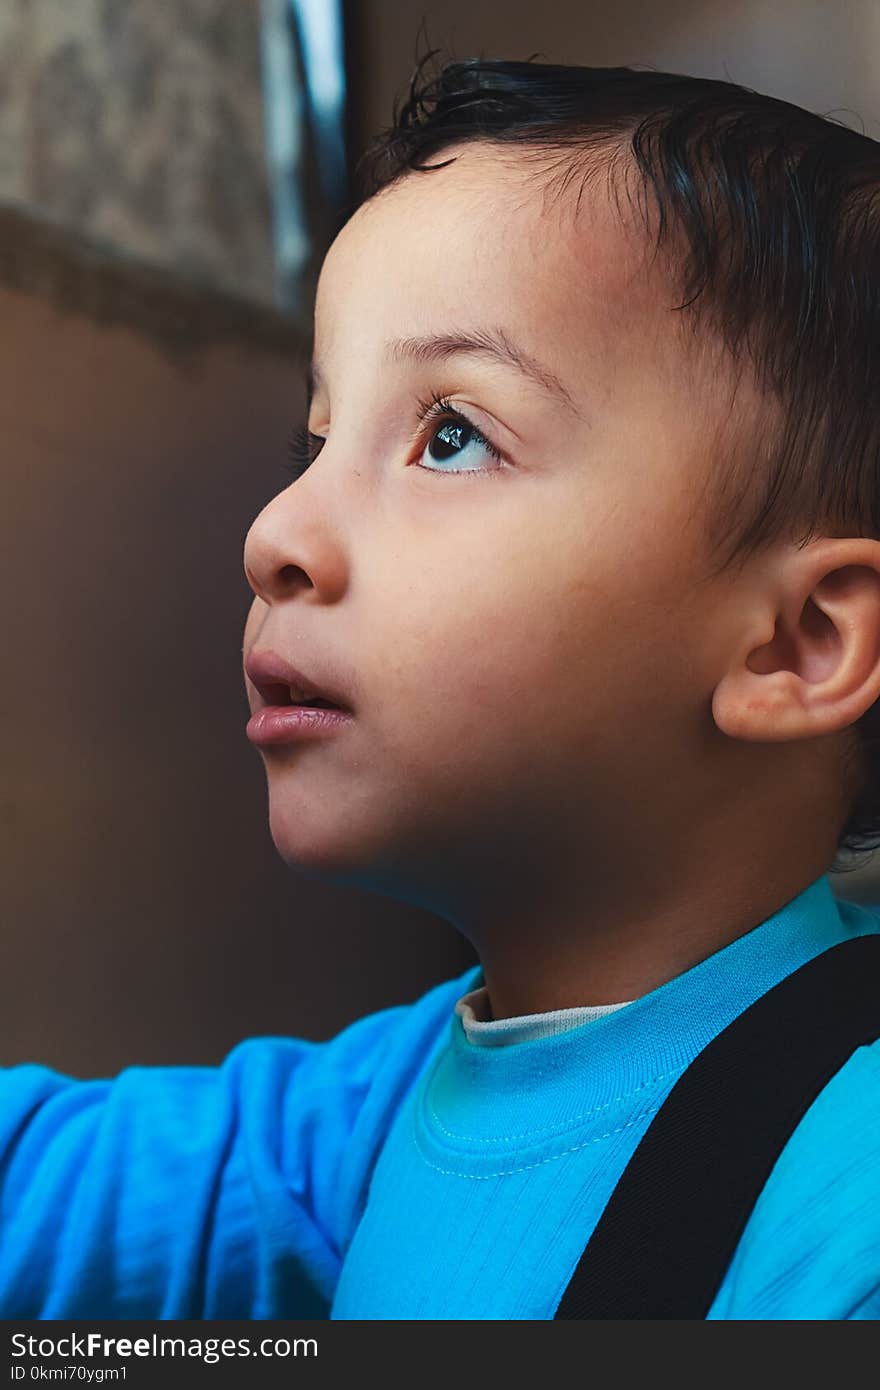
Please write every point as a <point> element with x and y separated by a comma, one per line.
<point>487,241</point>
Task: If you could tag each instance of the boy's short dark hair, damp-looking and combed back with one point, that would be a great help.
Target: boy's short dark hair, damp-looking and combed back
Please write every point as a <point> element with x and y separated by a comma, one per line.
<point>771,219</point>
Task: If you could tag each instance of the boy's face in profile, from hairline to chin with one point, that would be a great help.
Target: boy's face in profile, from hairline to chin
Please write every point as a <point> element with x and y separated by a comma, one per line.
<point>526,647</point>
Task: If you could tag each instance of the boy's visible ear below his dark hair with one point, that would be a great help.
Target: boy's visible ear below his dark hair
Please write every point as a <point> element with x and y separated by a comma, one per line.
<point>810,660</point>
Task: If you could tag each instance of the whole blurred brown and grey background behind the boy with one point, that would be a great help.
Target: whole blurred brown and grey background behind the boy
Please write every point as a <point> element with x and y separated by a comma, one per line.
<point>170,179</point>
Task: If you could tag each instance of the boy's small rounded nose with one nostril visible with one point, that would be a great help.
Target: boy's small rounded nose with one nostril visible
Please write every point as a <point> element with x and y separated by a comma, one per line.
<point>291,550</point>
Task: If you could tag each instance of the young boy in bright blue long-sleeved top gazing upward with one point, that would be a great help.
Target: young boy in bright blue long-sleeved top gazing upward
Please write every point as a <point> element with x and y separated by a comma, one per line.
<point>587,562</point>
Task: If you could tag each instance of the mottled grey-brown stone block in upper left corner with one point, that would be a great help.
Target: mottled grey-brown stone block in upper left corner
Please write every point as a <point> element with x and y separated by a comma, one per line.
<point>140,124</point>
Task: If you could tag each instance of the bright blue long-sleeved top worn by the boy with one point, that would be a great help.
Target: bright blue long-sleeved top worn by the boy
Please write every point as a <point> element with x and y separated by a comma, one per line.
<point>401,1171</point>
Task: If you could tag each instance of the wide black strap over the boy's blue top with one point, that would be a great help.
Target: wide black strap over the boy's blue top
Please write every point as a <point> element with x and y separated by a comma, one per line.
<point>672,1225</point>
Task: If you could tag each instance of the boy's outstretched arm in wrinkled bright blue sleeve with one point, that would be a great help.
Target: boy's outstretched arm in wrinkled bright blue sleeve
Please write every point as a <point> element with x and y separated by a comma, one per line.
<point>226,1192</point>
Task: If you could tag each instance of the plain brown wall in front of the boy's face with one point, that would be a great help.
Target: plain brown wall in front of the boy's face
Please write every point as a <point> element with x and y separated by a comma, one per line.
<point>148,917</point>
